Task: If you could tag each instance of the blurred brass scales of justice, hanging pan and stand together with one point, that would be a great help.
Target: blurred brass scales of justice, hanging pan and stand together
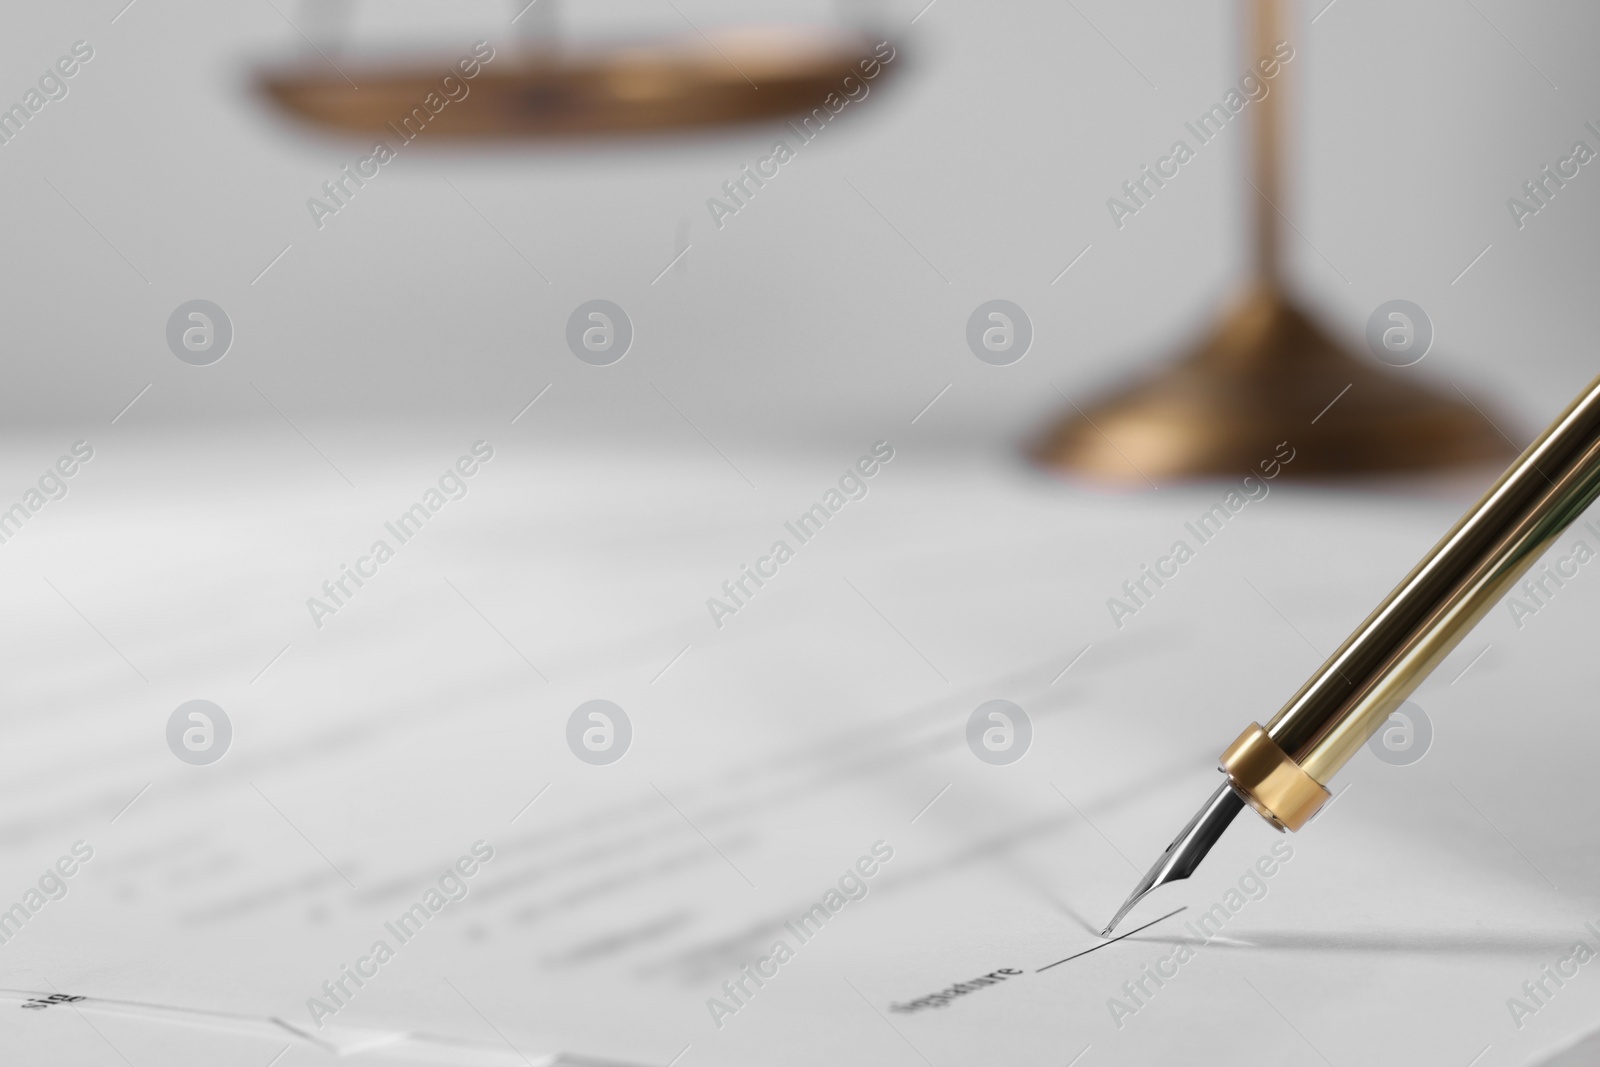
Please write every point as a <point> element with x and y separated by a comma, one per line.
<point>1262,375</point>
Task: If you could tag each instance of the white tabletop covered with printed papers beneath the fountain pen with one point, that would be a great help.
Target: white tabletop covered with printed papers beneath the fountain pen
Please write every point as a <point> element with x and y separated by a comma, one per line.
<point>770,753</point>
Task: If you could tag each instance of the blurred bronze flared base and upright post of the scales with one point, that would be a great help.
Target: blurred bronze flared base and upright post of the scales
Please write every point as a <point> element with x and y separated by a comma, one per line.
<point>1265,375</point>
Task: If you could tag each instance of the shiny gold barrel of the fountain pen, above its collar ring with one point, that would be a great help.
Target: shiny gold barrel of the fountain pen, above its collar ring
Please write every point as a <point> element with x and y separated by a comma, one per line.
<point>1449,593</point>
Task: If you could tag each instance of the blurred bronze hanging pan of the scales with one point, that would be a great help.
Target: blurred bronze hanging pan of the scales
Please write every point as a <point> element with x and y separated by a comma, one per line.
<point>726,78</point>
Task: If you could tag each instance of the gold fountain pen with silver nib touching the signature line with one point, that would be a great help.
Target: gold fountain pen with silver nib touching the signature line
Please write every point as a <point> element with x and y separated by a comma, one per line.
<point>1282,770</point>
